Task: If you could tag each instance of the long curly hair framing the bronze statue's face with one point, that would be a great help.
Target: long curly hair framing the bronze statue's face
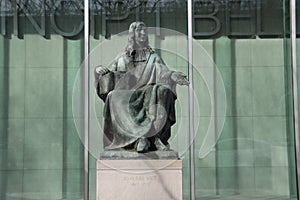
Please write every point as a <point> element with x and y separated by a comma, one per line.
<point>131,46</point>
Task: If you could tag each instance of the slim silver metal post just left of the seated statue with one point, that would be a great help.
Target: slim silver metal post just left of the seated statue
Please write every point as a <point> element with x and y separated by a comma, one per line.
<point>86,99</point>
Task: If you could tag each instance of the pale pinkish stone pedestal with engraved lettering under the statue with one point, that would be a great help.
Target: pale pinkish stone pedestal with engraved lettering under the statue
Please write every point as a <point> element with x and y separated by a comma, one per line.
<point>139,179</point>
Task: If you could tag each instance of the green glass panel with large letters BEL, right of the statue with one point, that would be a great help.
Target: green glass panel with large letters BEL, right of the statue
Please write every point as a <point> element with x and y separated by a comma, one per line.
<point>250,154</point>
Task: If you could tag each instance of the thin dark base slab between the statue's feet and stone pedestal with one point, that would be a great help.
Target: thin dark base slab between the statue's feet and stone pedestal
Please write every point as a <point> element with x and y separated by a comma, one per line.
<point>133,155</point>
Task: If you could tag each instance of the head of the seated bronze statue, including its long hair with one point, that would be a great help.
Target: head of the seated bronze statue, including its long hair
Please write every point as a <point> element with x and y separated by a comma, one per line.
<point>138,37</point>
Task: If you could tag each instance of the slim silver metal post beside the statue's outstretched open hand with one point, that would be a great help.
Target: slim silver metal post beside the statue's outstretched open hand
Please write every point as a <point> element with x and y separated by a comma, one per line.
<point>191,101</point>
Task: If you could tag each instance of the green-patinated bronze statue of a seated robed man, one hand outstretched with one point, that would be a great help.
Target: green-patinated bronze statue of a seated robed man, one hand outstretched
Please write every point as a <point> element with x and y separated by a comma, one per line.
<point>139,95</point>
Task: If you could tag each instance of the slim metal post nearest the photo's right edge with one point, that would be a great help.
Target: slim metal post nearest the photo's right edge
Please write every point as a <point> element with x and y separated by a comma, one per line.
<point>295,89</point>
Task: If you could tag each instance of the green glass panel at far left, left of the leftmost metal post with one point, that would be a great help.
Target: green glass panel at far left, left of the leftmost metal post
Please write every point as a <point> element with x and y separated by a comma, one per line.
<point>41,50</point>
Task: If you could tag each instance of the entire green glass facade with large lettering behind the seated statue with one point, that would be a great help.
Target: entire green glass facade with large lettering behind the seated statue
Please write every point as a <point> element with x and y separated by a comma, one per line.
<point>244,144</point>
